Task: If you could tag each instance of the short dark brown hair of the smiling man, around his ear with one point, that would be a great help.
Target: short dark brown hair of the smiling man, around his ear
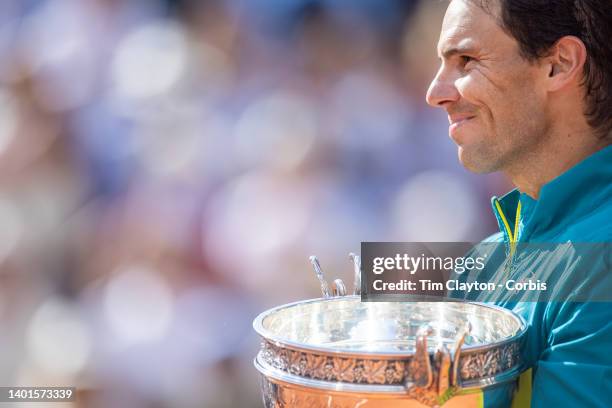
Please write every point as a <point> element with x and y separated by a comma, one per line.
<point>538,24</point>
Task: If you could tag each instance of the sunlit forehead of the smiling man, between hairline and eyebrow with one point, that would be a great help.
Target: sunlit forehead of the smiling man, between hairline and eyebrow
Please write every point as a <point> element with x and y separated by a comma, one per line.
<point>465,26</point>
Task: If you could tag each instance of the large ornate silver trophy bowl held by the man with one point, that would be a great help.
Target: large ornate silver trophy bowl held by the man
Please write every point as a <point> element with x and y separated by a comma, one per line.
<point>341,352</point>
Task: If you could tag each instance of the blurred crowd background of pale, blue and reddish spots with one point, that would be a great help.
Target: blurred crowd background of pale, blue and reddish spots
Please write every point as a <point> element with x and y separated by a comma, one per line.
<point>167,167</point>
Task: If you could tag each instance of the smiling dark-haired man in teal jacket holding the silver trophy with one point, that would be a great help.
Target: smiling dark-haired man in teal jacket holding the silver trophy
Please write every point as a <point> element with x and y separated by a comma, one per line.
<point>527,85</point>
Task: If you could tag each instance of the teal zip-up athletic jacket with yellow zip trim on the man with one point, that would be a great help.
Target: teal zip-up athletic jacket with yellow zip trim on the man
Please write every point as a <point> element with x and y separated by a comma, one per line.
<point>569,341</point>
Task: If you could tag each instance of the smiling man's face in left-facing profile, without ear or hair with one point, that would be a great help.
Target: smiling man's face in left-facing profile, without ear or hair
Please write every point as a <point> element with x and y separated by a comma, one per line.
<point>493,96</point>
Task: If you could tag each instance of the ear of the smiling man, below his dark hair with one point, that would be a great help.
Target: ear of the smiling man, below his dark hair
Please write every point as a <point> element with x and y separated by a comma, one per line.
<point>566,58</point>
